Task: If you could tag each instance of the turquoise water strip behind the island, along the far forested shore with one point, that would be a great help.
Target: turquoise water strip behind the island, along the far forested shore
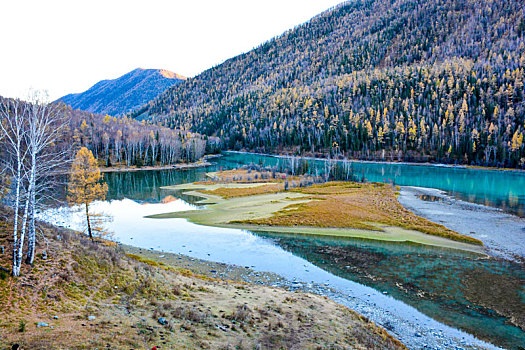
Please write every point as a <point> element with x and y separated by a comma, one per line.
<point>500,189</point>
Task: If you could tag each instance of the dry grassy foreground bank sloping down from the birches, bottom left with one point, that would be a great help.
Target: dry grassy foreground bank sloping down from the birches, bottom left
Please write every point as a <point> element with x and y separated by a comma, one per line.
<point>89,295</point>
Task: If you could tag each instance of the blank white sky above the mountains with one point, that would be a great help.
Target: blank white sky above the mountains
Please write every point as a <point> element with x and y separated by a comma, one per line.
<point>67,46</point>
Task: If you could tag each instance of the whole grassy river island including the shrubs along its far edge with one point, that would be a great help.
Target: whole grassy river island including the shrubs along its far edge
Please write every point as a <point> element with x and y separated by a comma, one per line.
<point>263,198</point>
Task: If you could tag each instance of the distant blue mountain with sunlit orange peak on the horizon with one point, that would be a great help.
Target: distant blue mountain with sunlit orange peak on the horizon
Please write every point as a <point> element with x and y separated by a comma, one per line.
<point>122,95</point>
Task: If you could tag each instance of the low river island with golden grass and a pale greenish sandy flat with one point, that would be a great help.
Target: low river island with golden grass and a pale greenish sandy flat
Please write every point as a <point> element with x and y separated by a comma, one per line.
<point>366,210</point>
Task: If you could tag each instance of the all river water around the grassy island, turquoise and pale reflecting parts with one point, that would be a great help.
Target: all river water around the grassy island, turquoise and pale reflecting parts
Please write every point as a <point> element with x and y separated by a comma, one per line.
<point>464,290</point>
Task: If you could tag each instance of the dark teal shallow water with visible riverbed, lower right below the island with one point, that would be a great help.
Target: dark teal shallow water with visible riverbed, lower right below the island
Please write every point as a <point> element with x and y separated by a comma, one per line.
<point>457,288</point>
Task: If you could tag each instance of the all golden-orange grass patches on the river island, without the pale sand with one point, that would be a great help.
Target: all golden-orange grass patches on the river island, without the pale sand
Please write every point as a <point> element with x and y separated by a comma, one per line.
<point>334,204</point>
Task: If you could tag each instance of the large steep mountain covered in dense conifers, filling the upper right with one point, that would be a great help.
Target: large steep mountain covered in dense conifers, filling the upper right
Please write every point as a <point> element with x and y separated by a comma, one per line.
<point>426,80</point>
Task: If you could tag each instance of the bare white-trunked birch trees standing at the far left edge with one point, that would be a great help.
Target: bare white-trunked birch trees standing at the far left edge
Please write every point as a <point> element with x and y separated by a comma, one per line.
<point>30,132</point>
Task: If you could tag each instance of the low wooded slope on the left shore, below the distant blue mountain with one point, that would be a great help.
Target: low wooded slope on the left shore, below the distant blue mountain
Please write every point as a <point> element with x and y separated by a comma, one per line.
<point>117,141</point>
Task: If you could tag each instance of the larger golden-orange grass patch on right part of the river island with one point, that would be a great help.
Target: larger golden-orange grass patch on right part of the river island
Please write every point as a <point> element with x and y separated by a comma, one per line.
<point>355,205</point>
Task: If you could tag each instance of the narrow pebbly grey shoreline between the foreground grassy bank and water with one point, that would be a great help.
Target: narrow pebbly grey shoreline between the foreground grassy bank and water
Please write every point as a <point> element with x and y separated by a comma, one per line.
<point>412,328</point>
